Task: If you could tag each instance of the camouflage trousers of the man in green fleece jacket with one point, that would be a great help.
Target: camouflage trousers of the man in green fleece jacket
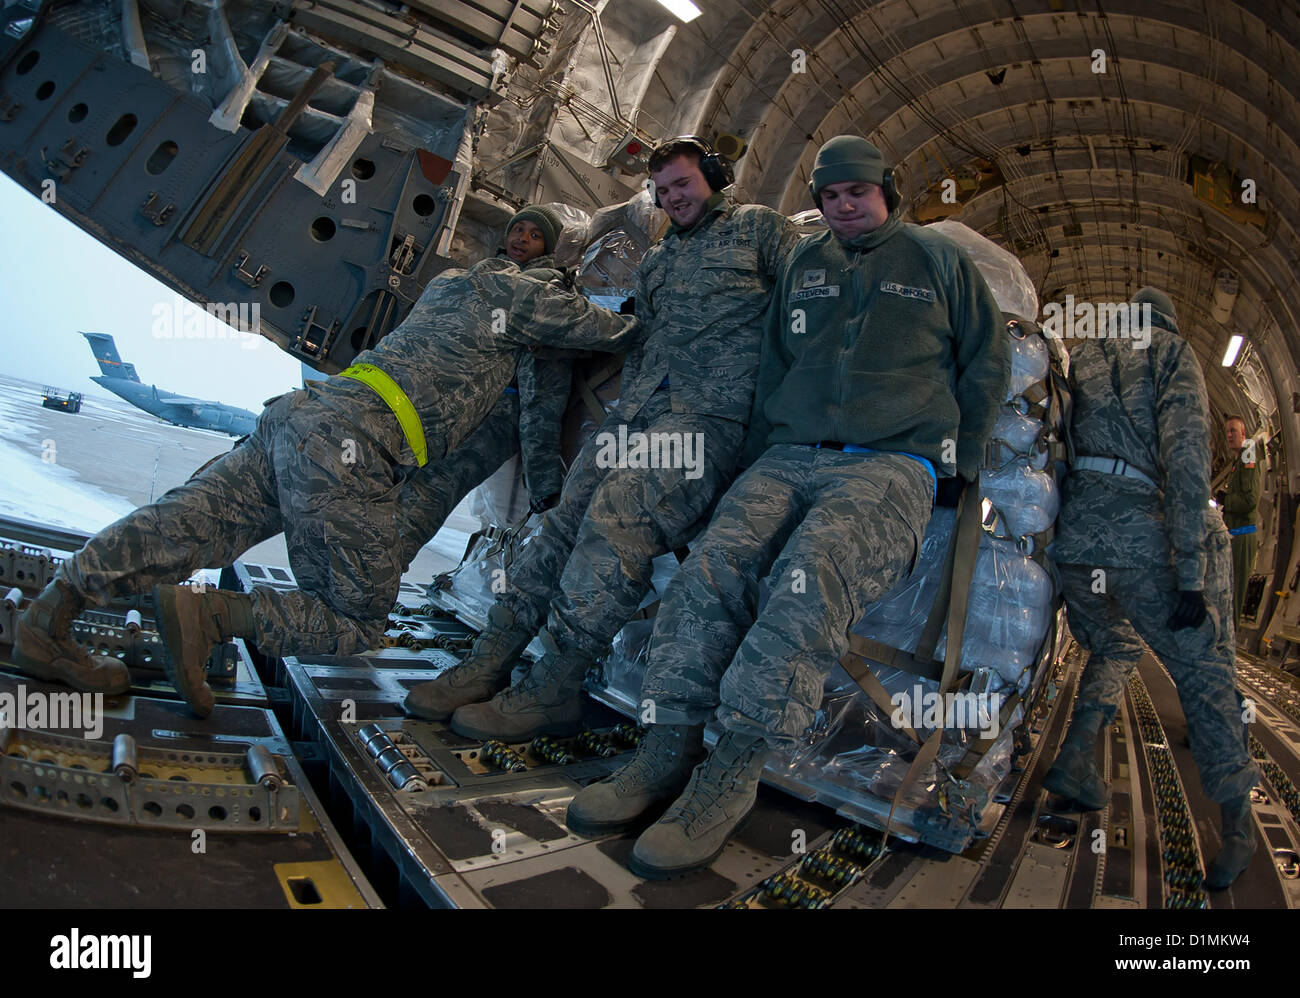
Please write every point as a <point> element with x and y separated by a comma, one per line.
<point>833,533</point>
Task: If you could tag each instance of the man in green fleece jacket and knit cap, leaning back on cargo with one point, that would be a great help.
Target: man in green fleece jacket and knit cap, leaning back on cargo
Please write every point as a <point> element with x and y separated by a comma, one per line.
<point>882,342</point>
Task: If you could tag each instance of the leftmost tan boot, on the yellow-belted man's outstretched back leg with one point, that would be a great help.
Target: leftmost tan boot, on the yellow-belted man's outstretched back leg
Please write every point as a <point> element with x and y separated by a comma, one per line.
<point>44,646</point>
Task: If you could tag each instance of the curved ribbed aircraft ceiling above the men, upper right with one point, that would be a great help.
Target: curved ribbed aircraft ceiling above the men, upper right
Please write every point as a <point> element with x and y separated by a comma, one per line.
<point>1084,175</point>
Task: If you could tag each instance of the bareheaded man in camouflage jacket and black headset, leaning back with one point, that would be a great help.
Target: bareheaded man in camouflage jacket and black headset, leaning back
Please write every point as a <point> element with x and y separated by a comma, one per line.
<point>701,297</point>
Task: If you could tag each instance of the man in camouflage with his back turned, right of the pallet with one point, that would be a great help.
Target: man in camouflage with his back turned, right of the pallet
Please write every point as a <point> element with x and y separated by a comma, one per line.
<point>1143,557</point>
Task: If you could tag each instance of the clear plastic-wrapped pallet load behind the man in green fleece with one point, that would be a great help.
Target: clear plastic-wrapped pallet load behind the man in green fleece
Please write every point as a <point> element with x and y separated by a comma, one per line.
<point>856,748</point>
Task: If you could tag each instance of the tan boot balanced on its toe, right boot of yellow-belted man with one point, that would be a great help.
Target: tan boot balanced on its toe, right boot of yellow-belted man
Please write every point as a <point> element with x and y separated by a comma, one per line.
<point>190,622</point>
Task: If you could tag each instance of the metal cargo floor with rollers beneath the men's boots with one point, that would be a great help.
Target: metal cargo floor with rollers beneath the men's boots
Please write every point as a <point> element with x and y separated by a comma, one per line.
<point>426,818</point>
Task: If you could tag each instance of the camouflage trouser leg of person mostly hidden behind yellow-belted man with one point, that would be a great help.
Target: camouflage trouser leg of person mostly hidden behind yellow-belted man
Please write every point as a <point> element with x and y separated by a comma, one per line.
<point>435,491</point>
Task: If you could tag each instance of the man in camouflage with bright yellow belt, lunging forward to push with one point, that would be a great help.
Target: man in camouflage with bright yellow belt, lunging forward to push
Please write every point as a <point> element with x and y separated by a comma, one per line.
<point>328,466</point>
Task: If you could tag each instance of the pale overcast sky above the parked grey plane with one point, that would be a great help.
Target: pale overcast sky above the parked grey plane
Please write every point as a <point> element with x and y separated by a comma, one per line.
<point>57,281</point>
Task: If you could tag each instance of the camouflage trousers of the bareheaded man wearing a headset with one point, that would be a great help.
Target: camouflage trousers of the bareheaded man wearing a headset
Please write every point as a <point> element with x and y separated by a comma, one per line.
<point>592,558</point>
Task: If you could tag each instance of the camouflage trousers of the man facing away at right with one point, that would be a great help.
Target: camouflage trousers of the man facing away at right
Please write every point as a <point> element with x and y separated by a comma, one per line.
<point>1202,662</point>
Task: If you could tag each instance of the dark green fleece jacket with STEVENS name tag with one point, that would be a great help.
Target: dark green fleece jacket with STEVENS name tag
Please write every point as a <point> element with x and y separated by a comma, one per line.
<point>892,342</point>
